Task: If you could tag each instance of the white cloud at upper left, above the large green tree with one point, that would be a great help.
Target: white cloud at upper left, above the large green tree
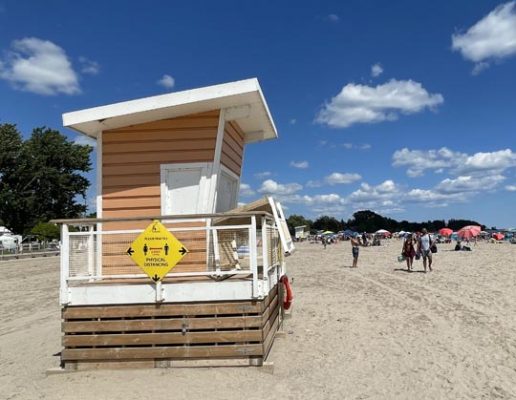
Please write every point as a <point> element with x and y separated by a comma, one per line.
<point>39,66</point>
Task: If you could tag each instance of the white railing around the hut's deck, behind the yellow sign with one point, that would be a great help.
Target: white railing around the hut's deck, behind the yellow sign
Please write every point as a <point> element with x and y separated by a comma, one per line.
<point>220,246</point>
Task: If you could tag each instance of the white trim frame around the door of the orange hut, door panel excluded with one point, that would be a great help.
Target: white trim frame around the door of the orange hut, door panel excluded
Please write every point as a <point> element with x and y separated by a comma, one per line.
<point>202,203</point>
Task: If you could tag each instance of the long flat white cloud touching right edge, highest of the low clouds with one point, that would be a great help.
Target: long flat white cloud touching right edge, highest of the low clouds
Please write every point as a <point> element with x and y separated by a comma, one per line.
<point>418,161</point>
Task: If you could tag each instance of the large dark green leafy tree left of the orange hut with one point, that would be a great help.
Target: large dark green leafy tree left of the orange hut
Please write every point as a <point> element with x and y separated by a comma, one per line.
<point>40,178</point>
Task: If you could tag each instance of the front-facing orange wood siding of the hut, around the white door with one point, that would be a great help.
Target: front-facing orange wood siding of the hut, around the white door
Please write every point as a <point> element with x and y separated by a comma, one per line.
<point>131,159</point>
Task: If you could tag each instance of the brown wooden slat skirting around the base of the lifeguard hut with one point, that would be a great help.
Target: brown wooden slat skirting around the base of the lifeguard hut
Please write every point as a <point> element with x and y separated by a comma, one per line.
<point>157,334</point>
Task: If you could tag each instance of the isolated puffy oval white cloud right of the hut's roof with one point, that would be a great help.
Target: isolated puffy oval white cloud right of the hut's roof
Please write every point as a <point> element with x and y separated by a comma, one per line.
<point>372,104</point>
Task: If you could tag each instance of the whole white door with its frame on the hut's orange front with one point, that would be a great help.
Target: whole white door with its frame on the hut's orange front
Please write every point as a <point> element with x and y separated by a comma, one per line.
<point>184,188</point>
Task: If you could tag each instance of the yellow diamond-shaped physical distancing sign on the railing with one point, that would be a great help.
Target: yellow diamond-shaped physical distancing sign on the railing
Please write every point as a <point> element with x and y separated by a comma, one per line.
<point>156,251</point>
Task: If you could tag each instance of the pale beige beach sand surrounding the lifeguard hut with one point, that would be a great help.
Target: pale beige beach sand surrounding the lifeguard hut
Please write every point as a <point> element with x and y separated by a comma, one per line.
<point>375,332</point>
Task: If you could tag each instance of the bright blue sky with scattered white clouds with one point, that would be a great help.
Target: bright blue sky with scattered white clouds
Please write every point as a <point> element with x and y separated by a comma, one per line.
<point>406,108</point>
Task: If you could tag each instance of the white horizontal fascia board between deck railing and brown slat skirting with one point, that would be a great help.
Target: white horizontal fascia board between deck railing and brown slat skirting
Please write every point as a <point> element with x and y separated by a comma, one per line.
<point>96,294</point>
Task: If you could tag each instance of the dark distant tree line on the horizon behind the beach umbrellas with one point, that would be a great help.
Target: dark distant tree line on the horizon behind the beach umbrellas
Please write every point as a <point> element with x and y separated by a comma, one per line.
<point>369,221</point>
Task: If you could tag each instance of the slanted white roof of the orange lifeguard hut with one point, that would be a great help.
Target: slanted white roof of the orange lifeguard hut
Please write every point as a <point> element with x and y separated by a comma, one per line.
<point>244,99</point>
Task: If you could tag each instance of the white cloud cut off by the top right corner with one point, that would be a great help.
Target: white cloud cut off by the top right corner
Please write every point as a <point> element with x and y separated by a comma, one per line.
<point>491,38</point>
